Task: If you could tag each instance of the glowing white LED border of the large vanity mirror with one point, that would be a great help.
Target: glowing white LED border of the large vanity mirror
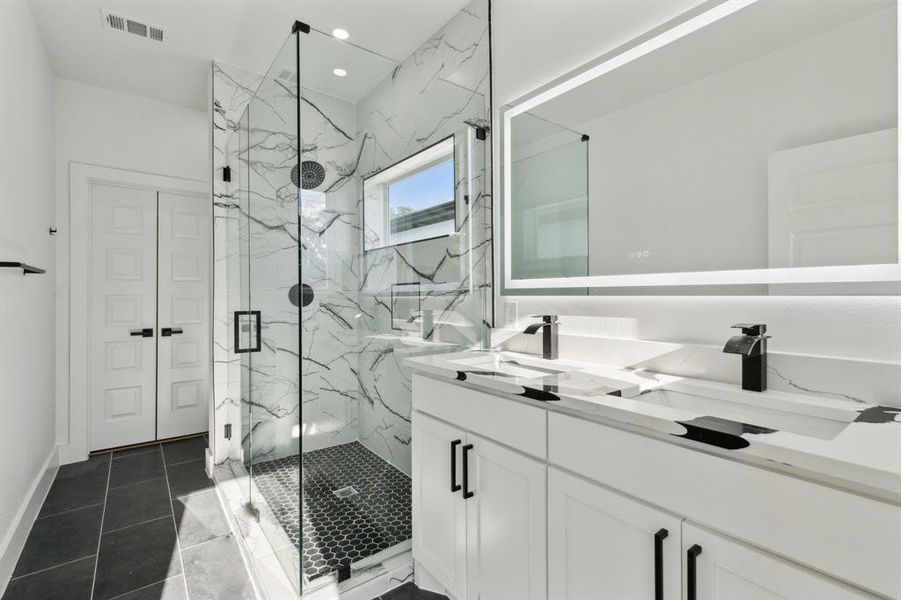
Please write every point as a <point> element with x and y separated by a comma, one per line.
<point>691,21</point>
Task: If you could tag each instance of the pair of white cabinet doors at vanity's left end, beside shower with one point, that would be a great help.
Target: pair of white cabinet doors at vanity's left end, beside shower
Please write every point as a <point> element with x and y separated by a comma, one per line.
<point>479,512</point>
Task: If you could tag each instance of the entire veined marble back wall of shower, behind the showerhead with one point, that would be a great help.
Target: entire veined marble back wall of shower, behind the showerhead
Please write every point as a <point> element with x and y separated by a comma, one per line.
<point>266,218</point>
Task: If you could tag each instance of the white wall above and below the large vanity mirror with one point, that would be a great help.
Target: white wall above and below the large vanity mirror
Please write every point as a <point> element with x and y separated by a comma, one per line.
<point>528,53</point>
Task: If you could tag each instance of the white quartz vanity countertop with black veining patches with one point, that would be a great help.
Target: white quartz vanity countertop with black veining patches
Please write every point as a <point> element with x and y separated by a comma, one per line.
<point>839,442</point>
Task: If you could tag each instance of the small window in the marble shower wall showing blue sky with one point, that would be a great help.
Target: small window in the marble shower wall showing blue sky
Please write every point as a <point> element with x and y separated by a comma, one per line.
<point>412,200</point>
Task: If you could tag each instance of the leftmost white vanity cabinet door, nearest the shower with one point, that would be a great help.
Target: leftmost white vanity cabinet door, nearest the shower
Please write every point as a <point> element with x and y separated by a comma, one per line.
<point>439,514</point>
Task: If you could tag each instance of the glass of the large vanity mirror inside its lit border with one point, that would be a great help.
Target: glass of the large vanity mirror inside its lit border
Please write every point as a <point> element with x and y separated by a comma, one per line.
<point>766,139</point>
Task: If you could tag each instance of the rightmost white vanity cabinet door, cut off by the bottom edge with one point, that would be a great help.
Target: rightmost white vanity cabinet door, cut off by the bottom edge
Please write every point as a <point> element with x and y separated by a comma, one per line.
<point>725,569</point>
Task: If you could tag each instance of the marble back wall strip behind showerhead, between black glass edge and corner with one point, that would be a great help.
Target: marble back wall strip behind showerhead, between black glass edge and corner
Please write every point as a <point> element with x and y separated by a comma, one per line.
<point>329,265</point>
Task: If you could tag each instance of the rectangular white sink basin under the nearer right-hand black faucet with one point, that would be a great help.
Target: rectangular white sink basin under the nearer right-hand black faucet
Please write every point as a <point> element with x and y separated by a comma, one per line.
<point>753,411</point>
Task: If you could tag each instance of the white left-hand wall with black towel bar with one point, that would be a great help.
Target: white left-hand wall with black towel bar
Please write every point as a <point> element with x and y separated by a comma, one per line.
<point>26,302</point>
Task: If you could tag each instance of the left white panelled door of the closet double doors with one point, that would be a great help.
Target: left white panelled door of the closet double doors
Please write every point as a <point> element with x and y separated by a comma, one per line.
<point>122,362</point>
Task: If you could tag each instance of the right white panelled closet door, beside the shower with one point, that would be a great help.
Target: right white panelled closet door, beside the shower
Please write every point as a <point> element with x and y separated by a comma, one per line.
<point>184,314</point>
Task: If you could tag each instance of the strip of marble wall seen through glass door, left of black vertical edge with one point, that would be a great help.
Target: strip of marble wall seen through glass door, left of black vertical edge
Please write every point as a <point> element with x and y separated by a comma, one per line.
<point>270,426</point>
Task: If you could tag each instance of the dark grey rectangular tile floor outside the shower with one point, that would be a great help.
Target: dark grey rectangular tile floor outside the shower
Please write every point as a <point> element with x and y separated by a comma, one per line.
<point>139,524</point>
